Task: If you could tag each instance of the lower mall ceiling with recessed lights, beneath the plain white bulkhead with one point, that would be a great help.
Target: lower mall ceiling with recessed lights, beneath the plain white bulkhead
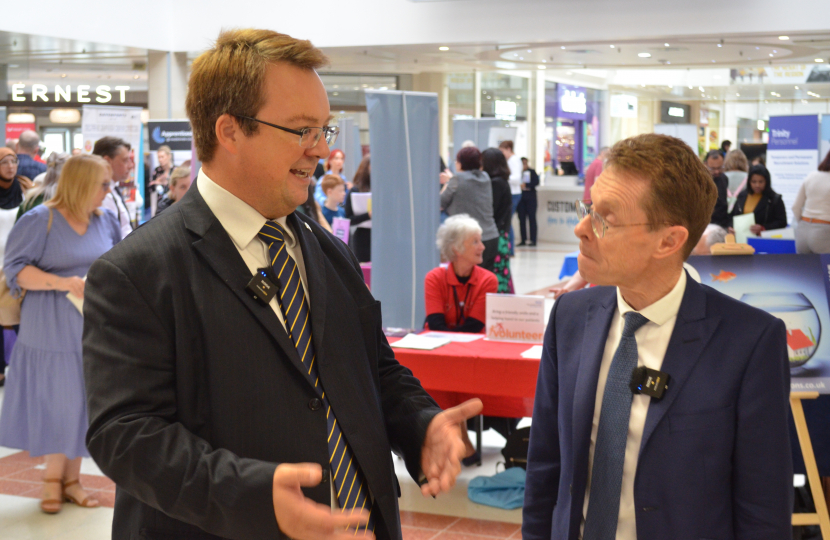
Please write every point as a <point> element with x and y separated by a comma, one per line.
<point>49,60</point>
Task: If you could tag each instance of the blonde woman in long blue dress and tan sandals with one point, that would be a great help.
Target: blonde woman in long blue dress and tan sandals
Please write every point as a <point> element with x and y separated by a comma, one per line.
<point>48,253</point>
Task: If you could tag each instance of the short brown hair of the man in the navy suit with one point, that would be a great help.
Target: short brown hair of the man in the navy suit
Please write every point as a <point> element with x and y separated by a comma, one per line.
<point>682,192</point>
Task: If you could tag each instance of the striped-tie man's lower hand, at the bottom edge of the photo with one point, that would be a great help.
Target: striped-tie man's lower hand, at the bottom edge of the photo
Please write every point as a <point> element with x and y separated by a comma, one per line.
<point>303,519</point>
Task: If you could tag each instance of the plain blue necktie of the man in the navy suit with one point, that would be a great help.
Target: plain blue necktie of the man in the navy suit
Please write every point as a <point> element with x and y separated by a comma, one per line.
<point>612,434</point>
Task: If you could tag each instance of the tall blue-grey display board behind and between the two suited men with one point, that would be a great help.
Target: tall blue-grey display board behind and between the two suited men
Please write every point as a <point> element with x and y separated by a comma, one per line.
<point>403,136</point>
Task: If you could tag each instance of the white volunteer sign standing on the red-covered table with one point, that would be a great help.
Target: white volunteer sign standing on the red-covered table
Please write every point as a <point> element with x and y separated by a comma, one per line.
<point>515,318</point>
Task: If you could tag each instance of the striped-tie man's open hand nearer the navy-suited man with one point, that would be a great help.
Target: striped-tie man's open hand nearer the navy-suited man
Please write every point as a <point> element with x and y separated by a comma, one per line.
<point>445,445</point>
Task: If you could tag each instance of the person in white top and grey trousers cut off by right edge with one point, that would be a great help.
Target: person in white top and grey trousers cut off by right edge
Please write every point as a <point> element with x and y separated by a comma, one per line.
<point>811,211</point>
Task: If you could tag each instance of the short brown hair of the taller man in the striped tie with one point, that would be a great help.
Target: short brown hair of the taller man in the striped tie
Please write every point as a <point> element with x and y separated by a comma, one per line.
<point>229,79</point>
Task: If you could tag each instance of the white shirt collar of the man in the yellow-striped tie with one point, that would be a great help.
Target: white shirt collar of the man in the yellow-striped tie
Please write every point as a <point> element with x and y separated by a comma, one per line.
<point>239,219</point>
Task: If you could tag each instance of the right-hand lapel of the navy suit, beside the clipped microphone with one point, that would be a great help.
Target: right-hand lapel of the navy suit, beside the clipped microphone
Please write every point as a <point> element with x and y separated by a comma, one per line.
<point>692,331</point>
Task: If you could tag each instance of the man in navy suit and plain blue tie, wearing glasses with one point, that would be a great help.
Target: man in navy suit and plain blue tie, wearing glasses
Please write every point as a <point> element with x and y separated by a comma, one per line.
<point>710,456</point>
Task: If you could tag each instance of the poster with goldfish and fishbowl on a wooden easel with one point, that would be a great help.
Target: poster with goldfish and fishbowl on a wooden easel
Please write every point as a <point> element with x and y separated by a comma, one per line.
<point>794,288</point>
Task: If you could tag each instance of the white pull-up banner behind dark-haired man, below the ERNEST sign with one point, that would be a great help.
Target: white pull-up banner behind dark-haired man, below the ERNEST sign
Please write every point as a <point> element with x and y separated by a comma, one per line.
<point>124,123</point>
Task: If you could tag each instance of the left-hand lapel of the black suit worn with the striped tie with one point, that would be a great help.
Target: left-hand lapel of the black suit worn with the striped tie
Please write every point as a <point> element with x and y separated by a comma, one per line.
<point>220,253</point>
